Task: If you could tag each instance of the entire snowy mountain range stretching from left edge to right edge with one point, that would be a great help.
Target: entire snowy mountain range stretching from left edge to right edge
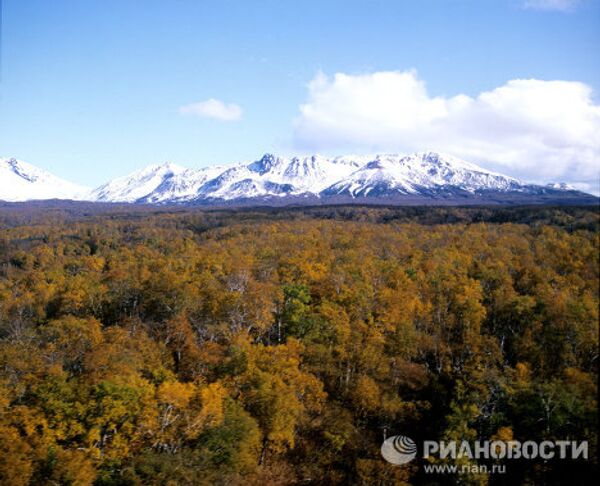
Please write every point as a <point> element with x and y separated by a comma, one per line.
<point>420,178</point>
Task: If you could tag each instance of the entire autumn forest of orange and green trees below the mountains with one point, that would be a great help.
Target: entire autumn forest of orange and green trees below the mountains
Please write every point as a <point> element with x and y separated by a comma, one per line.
<point>279,346</point>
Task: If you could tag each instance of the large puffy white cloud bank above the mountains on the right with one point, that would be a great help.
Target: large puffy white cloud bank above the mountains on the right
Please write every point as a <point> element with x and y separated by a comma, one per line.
<point>536,130</point>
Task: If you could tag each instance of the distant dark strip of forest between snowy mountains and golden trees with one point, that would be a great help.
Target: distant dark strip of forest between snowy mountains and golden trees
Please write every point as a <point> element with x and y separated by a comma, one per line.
<point>568,217</point>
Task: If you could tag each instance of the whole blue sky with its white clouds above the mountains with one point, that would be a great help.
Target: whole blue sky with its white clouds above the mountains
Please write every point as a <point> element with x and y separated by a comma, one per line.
<point>92,89</point>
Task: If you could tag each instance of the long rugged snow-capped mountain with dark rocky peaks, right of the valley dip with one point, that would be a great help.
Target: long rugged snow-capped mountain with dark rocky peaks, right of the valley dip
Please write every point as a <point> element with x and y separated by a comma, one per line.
<point>272,178</point>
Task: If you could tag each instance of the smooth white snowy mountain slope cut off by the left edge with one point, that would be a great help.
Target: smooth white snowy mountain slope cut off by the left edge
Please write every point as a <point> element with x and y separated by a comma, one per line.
<point>20,181</point>
